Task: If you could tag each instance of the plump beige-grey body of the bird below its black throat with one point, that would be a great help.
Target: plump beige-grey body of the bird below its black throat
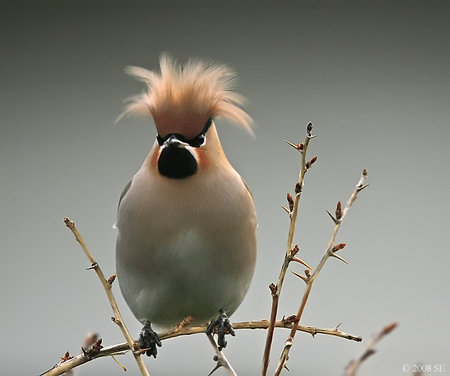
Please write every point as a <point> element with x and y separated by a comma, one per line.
<point>185,246</point>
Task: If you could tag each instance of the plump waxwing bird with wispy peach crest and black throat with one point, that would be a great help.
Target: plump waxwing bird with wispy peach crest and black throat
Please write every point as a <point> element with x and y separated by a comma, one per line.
<point>186,242</point>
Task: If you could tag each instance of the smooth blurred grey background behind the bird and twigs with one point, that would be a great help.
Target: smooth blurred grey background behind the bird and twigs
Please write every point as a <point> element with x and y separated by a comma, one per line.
<point>373,77</point>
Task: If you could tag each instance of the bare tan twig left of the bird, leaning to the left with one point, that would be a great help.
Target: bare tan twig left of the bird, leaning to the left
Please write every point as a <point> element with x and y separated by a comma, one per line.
<point>117,319</point>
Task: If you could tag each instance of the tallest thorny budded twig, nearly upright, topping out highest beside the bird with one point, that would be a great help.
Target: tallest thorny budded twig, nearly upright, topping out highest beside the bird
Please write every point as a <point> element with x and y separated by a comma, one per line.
<point>289,255</point>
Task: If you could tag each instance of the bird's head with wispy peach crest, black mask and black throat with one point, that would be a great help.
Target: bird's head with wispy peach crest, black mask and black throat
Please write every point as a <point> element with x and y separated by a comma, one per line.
<point>183,101</point>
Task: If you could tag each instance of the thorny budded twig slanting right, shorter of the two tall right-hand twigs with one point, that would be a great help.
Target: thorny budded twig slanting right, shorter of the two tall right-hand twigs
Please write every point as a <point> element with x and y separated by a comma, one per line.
<point>330,252</point>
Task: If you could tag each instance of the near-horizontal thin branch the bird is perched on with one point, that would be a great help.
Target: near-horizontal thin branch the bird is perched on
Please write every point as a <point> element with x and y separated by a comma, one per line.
<point>121,348</point>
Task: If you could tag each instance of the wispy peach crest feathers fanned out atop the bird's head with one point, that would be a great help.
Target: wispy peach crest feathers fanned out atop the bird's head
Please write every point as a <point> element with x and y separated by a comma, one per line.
<point>198,90</point>
